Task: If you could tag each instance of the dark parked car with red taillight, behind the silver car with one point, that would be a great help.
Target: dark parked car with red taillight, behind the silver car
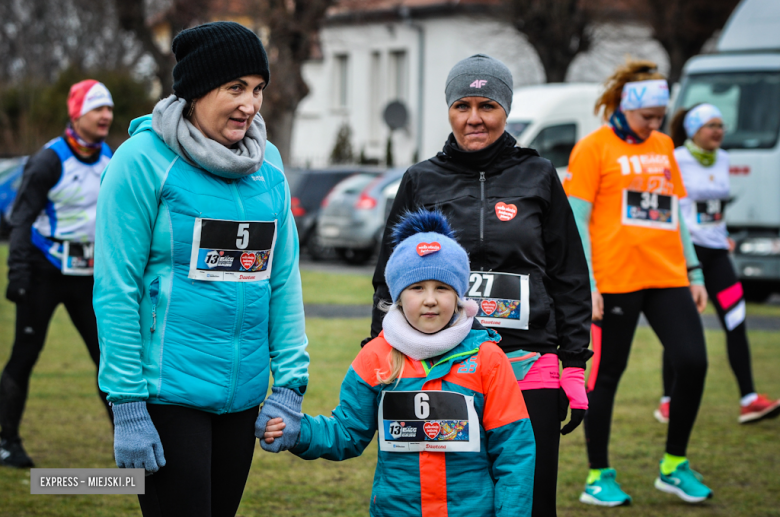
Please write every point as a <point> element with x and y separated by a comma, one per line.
<point>308,188</point>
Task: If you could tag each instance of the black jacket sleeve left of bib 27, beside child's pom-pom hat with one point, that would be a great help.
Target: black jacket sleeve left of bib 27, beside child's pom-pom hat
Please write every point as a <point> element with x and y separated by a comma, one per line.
<point>403,203</point>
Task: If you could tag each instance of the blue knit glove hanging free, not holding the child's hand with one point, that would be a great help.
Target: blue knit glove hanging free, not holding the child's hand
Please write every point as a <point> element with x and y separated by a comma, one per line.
<point>136,442</point>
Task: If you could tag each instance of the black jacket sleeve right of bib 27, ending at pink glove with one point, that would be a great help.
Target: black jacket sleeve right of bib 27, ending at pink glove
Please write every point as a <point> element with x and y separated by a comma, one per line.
<point>567,273</point>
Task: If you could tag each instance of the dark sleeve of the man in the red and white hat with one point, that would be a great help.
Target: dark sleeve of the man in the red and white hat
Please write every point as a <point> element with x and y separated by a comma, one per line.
<point>41,174</point>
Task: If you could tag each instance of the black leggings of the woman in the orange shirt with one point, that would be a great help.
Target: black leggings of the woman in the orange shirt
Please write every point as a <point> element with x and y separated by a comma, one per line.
<point>672,315</point>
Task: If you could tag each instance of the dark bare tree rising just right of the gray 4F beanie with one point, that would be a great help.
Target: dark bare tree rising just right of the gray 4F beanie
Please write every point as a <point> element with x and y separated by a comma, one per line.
<point>557,29</point>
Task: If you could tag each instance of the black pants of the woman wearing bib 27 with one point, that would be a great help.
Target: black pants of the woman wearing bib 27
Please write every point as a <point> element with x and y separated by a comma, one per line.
<point>542,408</point>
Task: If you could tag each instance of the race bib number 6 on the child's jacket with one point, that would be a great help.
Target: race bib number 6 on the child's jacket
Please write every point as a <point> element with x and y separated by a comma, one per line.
<point>434,421</point>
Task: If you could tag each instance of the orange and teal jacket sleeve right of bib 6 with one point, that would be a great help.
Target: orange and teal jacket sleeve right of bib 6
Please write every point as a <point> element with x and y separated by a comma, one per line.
<point>510,437</point>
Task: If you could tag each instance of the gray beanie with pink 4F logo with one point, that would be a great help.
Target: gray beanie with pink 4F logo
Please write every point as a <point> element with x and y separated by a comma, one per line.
<point>480,76</point>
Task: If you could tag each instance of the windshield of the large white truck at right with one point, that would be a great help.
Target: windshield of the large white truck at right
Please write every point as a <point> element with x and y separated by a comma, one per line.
<point>749,101</point>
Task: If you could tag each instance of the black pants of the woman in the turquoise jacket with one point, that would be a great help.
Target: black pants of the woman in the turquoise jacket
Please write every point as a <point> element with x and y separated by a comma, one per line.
<point>207,460</point>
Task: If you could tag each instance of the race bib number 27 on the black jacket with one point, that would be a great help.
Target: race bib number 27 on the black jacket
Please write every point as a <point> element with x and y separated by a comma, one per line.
<point>502,299</point>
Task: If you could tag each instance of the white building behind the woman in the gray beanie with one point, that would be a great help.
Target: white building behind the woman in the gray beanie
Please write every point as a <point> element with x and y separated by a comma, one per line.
<point>372,57</point>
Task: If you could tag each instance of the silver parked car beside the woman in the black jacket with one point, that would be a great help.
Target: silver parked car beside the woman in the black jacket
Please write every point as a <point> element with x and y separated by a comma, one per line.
<point>354,213</point>
